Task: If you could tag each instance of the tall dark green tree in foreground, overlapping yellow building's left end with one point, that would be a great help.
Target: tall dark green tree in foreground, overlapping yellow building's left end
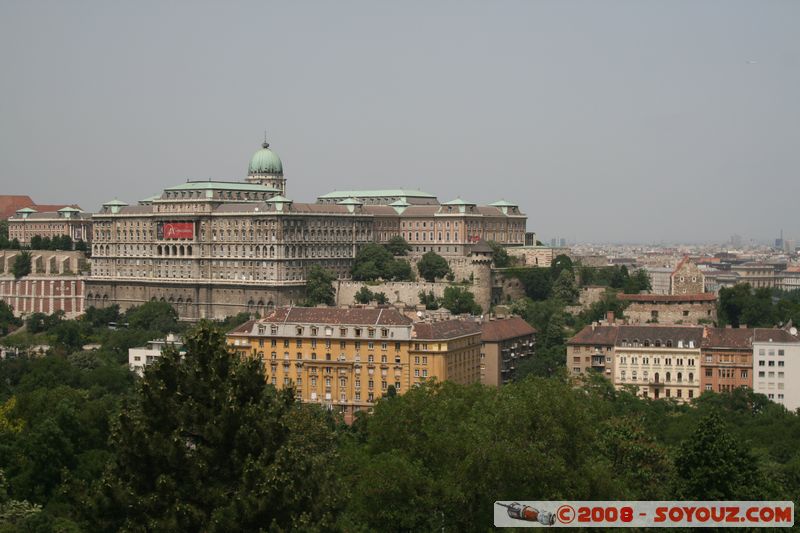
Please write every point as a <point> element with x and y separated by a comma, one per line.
<point>207,445</point>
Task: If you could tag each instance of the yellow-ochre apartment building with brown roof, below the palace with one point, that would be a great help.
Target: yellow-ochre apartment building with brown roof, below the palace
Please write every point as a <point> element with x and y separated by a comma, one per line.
<point>348,358</point>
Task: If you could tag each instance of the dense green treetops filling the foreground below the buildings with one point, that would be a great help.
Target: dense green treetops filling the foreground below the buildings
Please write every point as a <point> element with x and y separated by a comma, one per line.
<point>203,443</point>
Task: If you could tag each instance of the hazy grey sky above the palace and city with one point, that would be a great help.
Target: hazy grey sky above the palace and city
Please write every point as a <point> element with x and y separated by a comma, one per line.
<point>605,120</point>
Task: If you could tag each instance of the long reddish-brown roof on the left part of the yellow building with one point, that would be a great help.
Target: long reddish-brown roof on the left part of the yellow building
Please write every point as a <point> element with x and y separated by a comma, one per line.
<point>384,316</point>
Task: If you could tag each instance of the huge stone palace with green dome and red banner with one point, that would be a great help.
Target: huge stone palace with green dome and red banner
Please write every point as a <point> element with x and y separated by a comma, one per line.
<point>217,248</point>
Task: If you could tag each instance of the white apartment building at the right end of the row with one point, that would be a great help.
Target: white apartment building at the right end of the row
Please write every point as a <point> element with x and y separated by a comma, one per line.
<point>776,366</point>
